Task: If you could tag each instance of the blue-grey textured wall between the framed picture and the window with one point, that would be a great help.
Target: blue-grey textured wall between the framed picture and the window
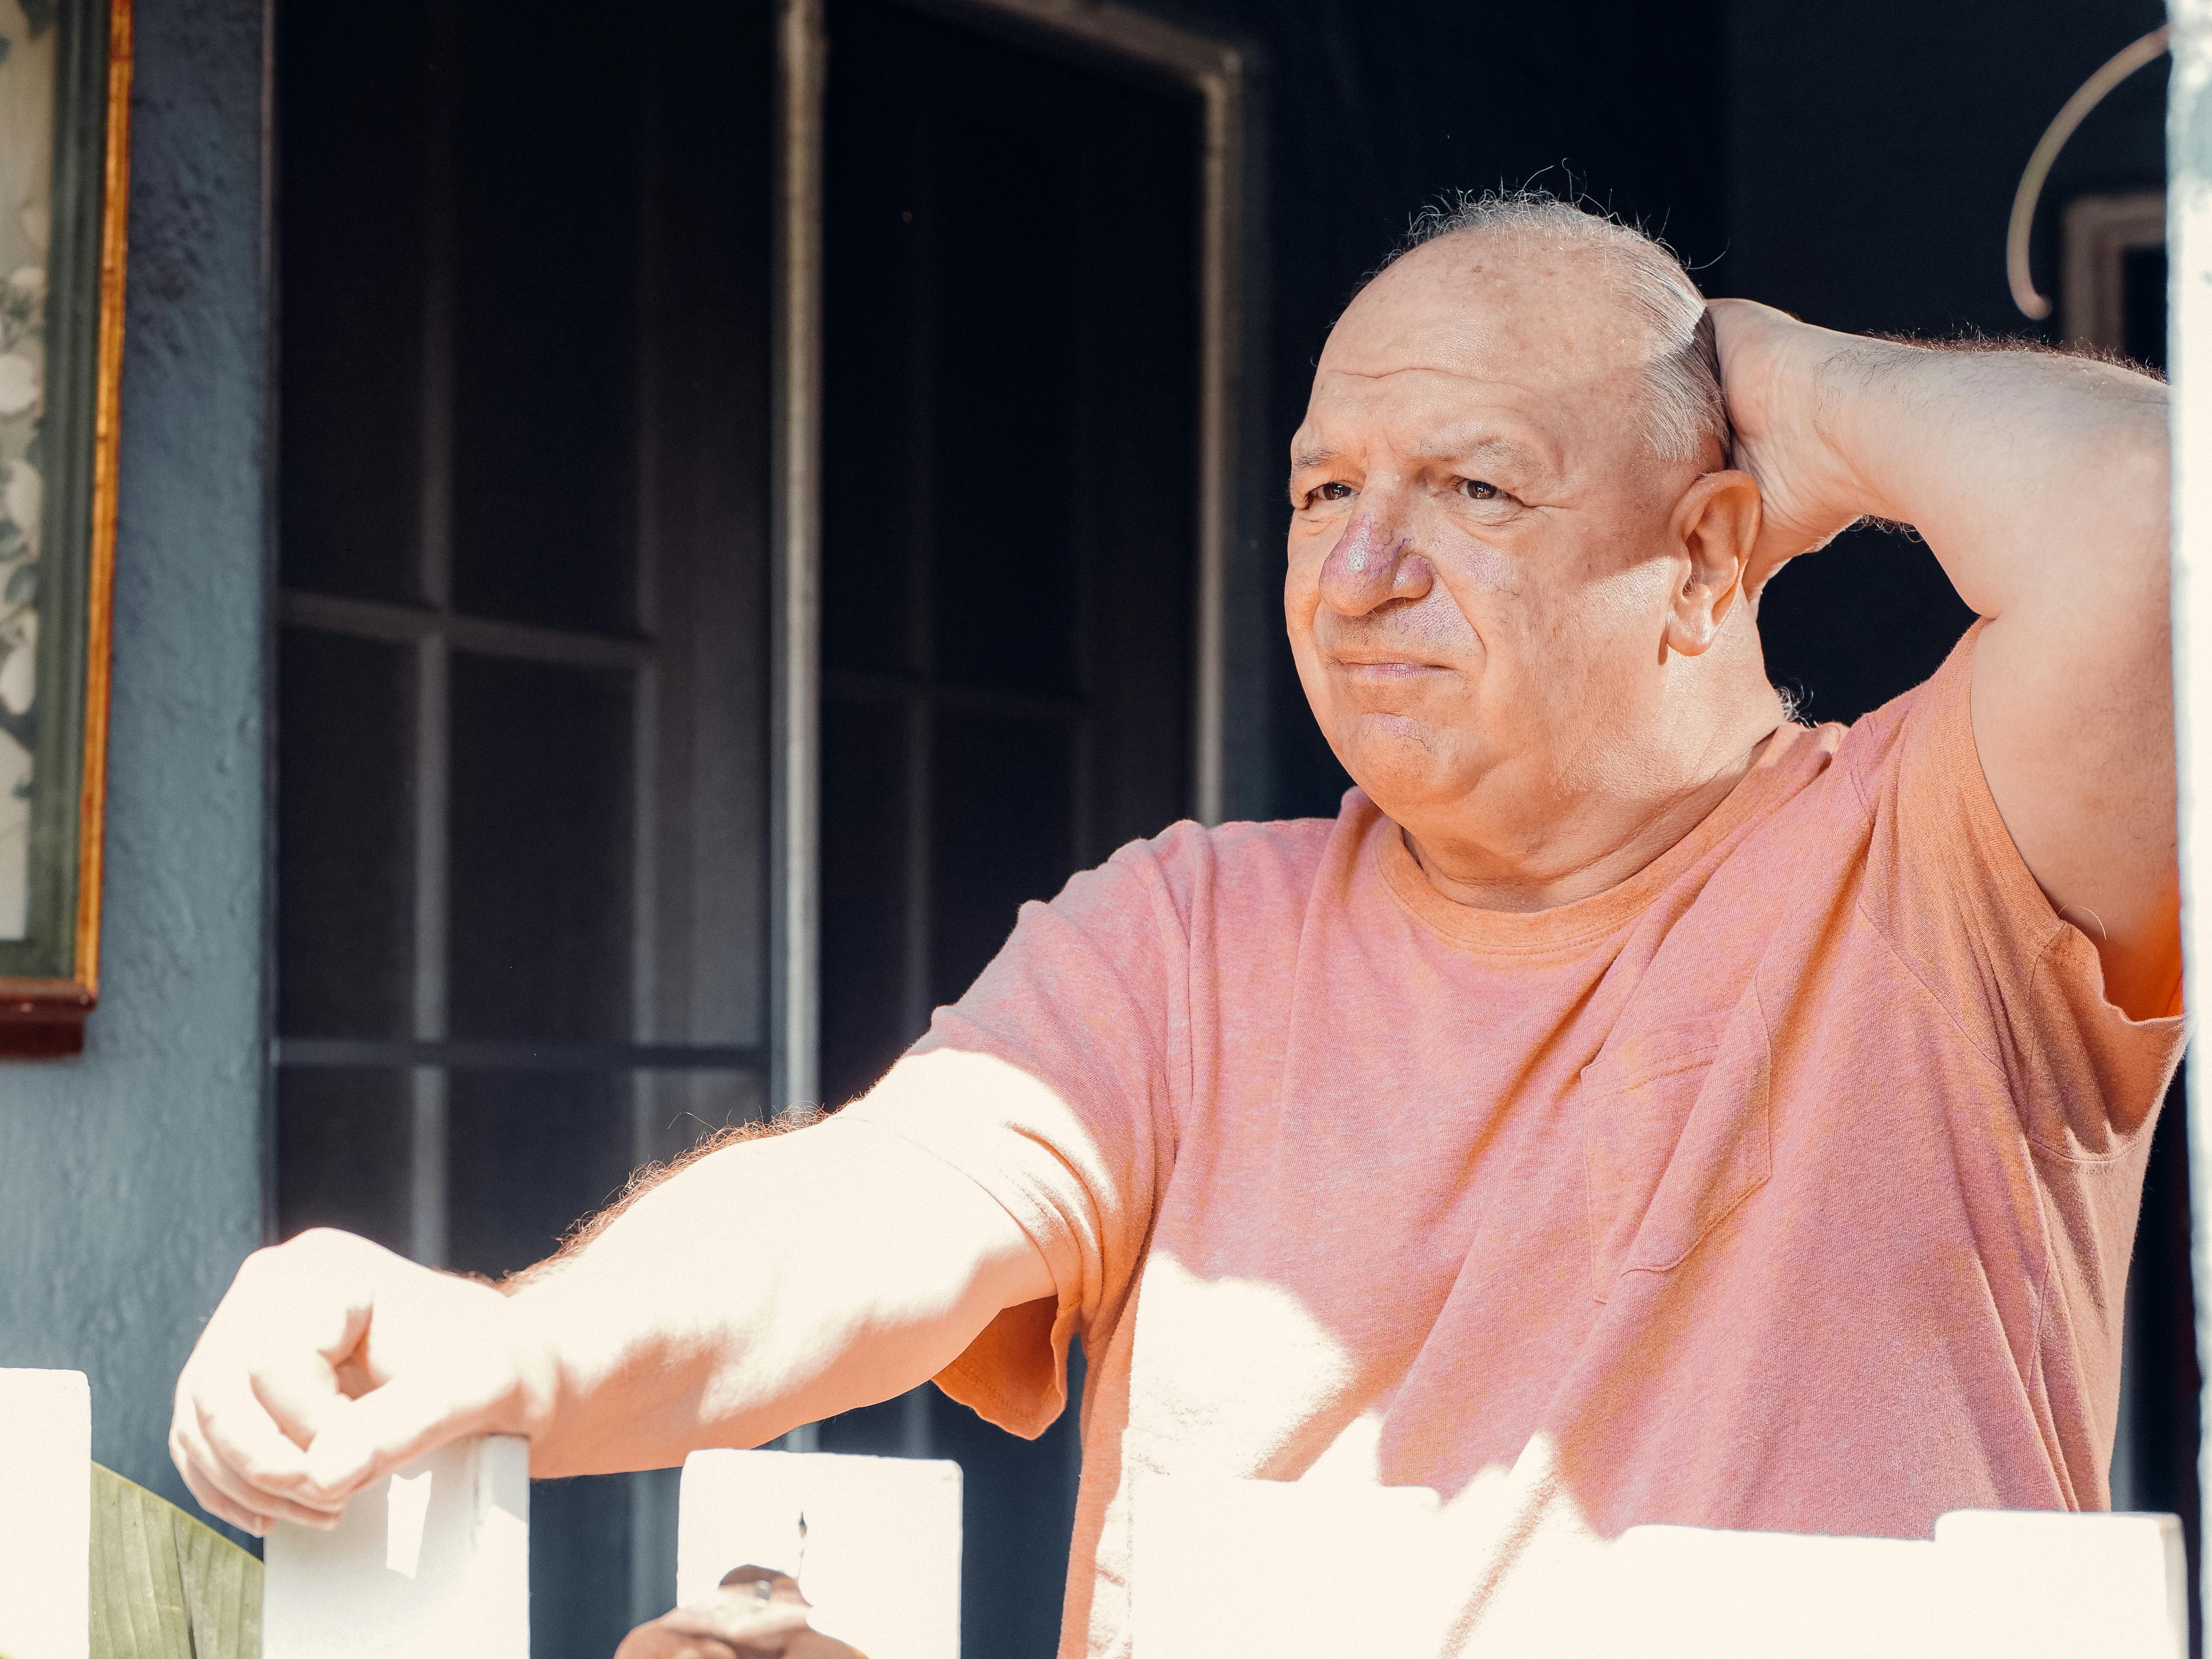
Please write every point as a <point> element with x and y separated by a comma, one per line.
<point>132,1178</point>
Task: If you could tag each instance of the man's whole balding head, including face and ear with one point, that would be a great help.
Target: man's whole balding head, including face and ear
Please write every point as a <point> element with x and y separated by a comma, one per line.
<point>1516,545</point>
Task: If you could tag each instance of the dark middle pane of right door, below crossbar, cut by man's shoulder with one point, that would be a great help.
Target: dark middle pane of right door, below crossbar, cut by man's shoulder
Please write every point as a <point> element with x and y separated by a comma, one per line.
<point>1005,833</point>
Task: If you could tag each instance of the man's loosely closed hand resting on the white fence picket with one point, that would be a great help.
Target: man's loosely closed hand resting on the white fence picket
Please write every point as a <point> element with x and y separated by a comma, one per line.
<point>331,1364</point>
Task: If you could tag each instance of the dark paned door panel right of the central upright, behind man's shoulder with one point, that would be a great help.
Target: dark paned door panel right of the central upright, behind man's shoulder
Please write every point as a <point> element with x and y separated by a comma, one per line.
<point>1010,578</point>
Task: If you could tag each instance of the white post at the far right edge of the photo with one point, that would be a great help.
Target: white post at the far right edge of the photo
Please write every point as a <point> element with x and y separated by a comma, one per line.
<point>2189,240</point>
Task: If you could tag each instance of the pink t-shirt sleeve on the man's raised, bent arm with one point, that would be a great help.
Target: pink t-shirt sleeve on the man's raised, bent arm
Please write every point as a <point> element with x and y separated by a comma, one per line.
<point>1957,901</point>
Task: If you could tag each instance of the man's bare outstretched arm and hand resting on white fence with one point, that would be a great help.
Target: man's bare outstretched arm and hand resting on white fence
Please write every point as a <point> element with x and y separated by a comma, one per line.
<point>764,1286</point>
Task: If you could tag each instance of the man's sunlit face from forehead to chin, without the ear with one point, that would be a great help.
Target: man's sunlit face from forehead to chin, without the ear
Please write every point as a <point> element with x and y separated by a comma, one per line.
<point>1479,545</point>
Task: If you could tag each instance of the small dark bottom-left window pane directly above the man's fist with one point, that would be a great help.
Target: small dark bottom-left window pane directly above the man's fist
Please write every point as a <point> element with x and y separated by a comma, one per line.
<point>344,1154</point>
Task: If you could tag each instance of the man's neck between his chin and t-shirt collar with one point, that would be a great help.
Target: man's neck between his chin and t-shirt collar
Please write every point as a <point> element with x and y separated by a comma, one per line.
<point>1600,837</point>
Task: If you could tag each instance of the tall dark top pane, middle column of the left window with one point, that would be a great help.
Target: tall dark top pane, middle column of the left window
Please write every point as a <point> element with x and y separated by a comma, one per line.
<point>545,331</point>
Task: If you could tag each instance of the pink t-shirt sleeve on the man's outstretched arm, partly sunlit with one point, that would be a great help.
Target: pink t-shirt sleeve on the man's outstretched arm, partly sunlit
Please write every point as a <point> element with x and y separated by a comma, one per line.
<point>1085,1014</point>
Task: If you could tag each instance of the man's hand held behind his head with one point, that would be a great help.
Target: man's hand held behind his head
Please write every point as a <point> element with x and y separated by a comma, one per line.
<point>1773,379</point>
